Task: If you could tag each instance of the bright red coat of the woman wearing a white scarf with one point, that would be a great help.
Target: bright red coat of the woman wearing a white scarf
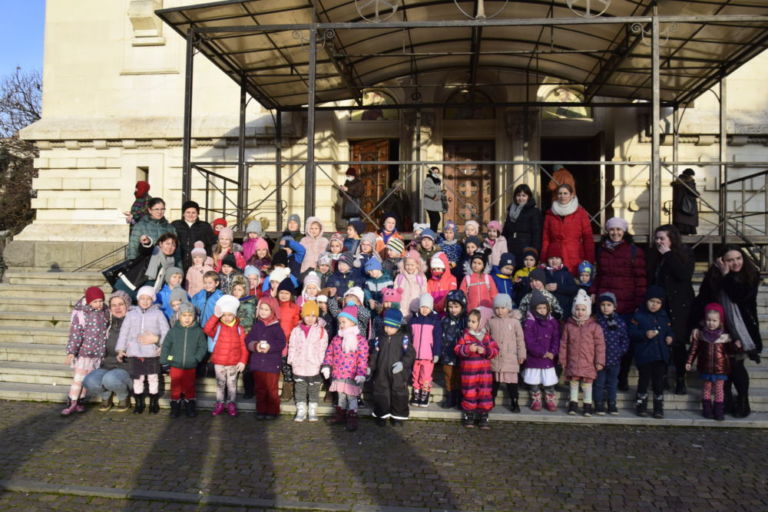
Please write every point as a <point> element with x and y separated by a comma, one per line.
<point>570,236</point>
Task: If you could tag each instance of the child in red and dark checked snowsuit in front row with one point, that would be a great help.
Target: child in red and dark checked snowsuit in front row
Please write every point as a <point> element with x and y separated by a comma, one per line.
<point>475,350</point>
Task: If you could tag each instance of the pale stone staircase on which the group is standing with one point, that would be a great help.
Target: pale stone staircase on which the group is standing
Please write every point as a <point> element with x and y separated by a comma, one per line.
<point>34,321</point>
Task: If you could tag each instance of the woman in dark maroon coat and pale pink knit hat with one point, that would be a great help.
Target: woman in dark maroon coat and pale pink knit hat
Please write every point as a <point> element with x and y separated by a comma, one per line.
<point>621,271</point>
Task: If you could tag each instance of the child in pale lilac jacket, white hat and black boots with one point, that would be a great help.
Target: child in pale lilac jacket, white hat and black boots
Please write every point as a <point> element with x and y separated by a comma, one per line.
<point>140,334</point>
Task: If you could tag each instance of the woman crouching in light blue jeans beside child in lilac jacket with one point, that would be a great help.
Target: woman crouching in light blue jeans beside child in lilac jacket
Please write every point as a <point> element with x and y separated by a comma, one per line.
<point>112,377</point>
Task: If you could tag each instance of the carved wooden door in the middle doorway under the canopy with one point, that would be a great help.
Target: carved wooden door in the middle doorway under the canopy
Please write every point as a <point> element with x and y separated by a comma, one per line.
<point>469,186</point>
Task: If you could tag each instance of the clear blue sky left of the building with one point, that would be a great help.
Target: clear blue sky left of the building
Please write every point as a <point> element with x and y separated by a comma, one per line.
<point>21,35</point>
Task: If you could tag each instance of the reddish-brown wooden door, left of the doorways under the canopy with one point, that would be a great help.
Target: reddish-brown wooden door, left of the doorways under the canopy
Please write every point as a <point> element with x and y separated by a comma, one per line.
<point>375,177</point>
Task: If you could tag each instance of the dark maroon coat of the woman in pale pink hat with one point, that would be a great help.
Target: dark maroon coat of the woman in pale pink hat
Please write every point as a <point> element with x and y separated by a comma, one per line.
<point>621,271</point>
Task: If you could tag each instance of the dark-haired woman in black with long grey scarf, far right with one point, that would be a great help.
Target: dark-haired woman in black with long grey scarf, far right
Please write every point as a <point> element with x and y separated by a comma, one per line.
<point>733,282</point>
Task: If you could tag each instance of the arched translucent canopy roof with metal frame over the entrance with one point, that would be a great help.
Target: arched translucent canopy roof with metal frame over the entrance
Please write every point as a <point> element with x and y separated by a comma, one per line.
<point>265,43</point>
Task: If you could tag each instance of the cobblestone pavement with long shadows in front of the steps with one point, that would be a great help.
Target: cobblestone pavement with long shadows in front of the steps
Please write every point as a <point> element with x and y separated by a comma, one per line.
<point>435,465</point>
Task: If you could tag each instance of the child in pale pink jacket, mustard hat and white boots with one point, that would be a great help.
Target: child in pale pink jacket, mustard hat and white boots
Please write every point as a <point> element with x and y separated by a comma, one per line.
<point>306,351</point>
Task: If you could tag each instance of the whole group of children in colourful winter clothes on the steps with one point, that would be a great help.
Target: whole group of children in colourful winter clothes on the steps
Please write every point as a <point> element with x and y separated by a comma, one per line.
<point>371,313</point>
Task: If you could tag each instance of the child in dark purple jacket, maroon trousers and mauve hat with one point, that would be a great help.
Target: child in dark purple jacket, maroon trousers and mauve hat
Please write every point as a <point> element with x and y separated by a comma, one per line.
<point>266,342</point>
